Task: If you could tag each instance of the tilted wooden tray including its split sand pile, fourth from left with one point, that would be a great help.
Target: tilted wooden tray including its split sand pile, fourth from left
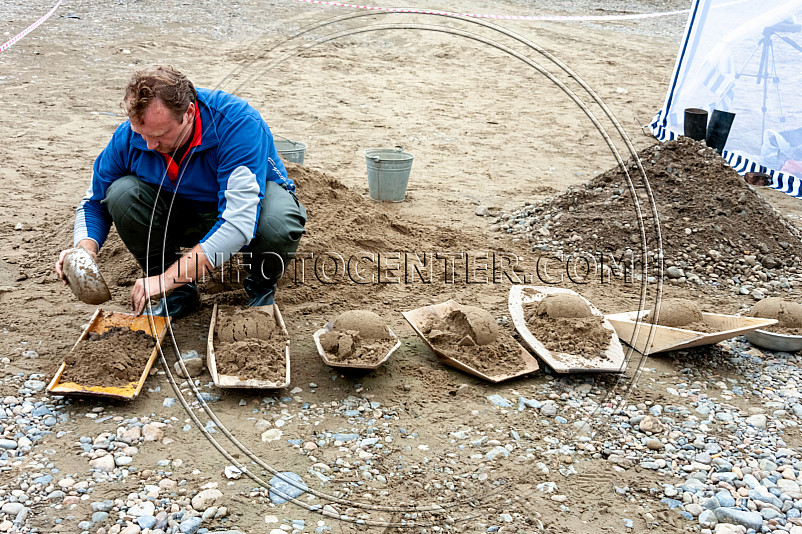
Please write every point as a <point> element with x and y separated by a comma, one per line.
<point>468,338</point>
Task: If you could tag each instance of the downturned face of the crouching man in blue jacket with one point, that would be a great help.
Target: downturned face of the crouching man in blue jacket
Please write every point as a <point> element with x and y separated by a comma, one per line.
<point>161,130</point>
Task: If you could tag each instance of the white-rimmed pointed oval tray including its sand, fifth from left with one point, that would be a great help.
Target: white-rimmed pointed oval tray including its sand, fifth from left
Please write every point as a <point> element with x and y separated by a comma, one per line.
<point>565,330</point>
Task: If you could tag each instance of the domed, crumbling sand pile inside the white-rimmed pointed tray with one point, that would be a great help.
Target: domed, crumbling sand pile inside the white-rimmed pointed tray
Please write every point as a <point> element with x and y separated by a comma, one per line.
<point>565,323</point>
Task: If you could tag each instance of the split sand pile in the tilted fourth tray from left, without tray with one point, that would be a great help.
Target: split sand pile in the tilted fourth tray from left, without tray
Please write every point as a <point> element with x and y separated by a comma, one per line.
<point>471,336</point>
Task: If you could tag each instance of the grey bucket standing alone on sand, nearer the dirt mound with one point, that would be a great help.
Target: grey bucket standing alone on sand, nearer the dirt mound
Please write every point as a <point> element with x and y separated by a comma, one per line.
<point>388,173</point>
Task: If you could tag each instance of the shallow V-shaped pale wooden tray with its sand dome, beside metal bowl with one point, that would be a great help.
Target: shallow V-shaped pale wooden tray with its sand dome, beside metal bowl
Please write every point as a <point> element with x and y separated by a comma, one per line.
<point>680,325</point>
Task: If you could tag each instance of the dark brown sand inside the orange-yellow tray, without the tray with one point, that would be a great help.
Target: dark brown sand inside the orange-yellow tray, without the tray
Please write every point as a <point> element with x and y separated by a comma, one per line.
<point>114,358</point>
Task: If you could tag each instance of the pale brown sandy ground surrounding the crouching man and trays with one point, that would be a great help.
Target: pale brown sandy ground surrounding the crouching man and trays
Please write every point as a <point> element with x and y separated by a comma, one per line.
<point>486,129</point>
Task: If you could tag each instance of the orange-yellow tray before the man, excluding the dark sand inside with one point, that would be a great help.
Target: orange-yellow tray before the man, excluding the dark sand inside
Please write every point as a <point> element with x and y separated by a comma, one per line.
<point>100,322</point>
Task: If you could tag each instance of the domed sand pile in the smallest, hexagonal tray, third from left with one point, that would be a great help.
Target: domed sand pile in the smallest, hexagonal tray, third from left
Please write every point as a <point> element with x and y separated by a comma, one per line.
<point>357,337</point>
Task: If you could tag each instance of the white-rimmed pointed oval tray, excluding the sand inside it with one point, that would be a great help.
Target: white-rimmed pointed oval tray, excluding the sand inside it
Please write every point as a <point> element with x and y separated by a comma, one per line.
<point>563,362</point>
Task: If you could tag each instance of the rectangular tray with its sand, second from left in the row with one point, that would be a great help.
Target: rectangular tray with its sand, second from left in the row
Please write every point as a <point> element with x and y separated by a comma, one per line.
<point>248,348</point>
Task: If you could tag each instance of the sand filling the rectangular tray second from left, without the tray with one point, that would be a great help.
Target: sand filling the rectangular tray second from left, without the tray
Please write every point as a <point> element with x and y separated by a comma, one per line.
<point>250,345</point>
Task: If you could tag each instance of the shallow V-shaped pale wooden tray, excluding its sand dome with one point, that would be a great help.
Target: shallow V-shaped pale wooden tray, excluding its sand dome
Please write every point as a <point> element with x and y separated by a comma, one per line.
<point>635,332</point>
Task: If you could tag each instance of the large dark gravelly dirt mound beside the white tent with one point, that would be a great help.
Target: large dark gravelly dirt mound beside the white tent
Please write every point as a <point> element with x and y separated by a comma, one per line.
<point>708,216</point>
